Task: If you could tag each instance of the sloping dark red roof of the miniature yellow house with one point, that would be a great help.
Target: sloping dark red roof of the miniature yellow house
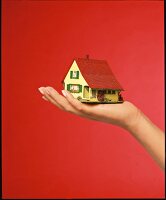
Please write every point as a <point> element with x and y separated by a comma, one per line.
<point>97,74</point>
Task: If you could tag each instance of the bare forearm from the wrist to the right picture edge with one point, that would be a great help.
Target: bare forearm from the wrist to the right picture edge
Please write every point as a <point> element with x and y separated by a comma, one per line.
<point>151,137</point>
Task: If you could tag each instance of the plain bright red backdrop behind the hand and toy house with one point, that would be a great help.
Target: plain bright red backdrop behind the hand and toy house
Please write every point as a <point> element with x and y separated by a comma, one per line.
<point>48,153</point>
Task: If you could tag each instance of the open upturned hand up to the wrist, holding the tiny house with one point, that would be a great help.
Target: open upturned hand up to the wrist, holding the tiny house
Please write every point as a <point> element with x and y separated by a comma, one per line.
<point>124,115</point>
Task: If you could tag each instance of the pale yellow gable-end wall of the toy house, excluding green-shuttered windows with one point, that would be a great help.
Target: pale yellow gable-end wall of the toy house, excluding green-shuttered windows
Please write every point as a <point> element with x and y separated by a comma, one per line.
<point>81,80</point>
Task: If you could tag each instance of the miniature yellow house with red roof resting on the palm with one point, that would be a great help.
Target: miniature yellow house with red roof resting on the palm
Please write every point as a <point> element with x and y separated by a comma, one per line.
<point>92,81</point>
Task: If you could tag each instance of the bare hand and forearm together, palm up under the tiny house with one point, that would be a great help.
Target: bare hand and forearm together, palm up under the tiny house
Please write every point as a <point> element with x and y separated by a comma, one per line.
<point>125,115</point>
